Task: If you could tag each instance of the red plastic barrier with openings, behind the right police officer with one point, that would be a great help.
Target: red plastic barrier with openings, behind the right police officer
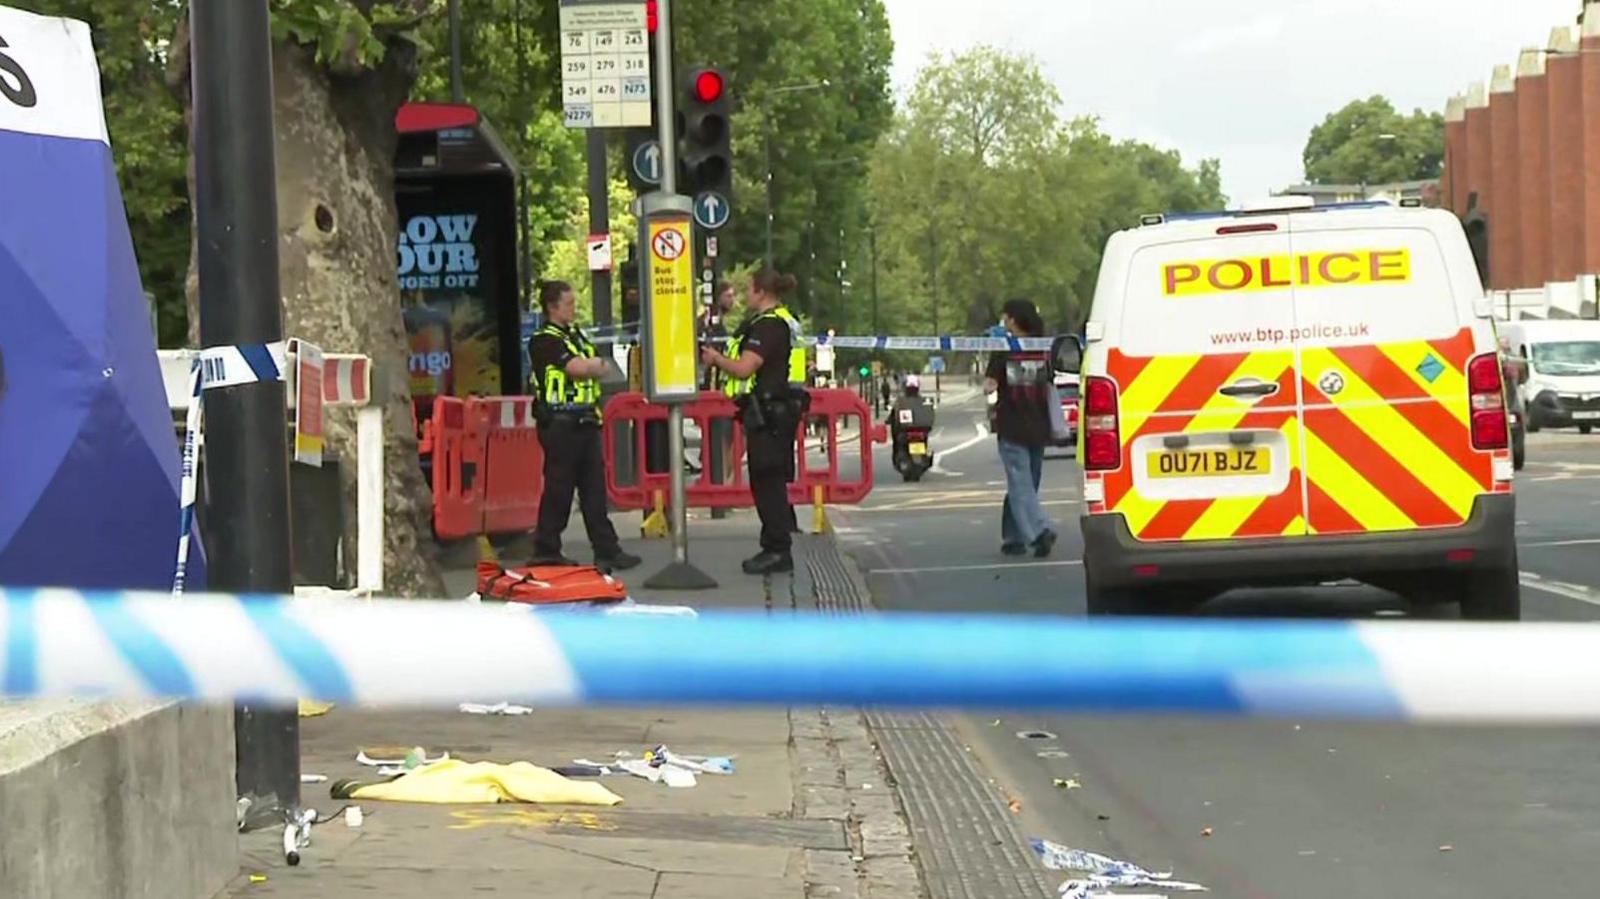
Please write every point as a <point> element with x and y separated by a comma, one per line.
<point>830,407</point>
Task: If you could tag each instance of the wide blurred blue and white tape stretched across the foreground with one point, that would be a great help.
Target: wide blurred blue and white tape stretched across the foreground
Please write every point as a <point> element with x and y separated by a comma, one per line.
<point>431,653</point>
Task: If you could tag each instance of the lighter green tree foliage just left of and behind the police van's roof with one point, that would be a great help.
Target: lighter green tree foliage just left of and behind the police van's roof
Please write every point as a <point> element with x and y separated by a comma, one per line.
<point>980,193</point>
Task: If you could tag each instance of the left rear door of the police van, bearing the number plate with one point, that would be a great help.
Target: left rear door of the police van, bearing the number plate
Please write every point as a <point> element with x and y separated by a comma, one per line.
<point>1209,388</point>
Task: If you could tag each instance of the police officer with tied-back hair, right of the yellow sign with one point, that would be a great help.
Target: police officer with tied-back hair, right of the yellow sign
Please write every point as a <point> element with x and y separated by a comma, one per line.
<point>766,367</point>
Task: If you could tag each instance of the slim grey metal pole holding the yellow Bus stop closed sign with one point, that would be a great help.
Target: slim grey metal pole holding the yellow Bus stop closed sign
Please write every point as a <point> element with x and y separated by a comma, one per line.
<point>679,575</point>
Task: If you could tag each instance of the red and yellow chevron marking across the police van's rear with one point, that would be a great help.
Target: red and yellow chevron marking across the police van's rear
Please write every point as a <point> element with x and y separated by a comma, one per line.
<point>1390,452</point>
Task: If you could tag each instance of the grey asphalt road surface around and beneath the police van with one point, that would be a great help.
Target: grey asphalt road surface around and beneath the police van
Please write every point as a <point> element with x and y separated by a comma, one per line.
<point>1252,810</point>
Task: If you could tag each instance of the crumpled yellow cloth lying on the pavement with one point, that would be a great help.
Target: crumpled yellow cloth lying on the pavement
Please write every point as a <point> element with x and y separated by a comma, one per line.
<point>455,781</point>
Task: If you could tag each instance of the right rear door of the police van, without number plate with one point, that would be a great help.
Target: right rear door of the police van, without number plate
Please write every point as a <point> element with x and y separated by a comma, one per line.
<point>1385,351</point>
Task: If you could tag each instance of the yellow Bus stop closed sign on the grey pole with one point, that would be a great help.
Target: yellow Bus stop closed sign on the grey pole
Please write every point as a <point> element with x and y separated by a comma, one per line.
<point>671,366</point>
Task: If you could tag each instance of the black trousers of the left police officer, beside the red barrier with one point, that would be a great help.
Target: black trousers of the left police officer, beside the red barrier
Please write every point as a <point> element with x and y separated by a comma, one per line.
<point>574,461</point>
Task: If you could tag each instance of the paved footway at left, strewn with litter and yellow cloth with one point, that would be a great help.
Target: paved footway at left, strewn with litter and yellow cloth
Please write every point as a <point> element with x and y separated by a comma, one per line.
<point>807,813</point>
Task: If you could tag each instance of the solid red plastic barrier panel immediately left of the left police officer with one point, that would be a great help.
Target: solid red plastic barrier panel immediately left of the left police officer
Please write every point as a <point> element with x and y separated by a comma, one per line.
<point>514,466</point>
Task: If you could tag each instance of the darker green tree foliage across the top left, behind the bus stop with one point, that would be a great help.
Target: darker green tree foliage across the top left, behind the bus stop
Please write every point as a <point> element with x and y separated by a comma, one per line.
<point>822,140</point>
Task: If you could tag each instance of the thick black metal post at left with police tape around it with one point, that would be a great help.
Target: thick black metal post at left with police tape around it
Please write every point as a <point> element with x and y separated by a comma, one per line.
<point>247,452</point>
